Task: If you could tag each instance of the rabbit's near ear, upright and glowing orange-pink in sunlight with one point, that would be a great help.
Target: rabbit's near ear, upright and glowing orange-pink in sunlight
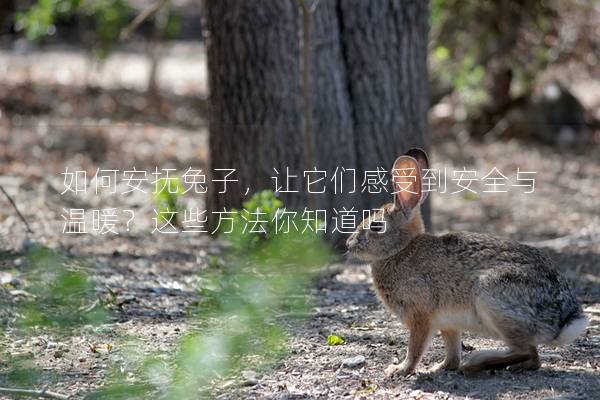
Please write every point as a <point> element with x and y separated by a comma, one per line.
<point>406,176</point>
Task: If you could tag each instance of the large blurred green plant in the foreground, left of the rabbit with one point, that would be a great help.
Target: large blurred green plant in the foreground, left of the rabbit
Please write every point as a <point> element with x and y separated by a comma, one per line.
<point>245,309</point>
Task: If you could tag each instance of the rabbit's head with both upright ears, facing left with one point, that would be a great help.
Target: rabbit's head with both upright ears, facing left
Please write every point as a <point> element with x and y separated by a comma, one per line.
<point>394,225</point>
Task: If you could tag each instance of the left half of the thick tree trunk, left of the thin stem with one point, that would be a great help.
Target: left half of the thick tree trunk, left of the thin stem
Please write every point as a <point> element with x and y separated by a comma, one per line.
<point>255,119</point>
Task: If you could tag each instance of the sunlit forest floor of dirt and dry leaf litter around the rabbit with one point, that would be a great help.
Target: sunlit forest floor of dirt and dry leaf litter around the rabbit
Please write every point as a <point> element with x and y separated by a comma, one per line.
<point>153,278</point>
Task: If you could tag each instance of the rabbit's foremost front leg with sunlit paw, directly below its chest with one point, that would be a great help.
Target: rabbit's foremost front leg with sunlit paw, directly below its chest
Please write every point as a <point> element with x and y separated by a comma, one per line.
<point>420,333</point>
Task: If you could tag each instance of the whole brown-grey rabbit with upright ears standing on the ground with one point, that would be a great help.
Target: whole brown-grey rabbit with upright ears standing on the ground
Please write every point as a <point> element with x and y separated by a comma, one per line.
<point>462,282</point>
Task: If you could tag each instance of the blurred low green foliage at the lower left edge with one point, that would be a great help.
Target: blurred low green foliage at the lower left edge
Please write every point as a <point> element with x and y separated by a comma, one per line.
<point>56,298</point>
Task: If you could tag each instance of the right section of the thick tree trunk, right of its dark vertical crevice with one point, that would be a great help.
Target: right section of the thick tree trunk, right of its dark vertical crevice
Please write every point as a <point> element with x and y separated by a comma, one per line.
<point>385,53</point>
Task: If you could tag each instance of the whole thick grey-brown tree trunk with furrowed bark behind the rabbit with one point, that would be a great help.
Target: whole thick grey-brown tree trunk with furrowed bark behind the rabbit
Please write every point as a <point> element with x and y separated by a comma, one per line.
<point>369,92</point>
